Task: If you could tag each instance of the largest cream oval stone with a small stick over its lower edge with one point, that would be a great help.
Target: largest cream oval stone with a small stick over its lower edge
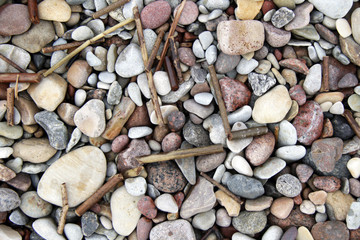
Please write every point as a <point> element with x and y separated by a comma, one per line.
<point>83,170</point>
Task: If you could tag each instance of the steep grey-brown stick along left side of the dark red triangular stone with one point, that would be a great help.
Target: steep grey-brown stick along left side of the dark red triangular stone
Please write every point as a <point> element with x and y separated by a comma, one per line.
<point>220,100</point>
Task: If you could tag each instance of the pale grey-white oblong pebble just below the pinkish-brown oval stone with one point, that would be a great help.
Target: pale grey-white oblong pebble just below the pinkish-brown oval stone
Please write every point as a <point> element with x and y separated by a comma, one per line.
<point>270,168</point>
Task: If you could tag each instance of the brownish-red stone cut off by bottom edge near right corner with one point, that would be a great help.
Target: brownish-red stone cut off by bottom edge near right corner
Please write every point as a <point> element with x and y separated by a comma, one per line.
<point>330,230</point>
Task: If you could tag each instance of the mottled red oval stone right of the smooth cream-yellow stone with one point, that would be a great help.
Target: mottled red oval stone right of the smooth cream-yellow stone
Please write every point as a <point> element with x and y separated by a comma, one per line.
<point>309,122</point>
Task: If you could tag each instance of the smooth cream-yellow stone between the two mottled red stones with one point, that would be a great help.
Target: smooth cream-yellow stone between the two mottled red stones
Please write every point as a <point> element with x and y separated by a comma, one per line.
<point>272,106</point>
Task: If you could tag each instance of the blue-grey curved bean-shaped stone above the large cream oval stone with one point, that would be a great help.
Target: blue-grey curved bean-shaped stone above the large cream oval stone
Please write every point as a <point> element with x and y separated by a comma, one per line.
<point>55,129</point>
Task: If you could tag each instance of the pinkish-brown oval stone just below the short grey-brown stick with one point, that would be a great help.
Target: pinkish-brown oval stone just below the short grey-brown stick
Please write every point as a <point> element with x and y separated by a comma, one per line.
<point>260,149</point>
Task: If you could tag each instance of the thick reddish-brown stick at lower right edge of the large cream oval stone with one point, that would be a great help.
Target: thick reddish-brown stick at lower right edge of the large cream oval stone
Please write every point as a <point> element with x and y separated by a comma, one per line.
<point>110,184</point>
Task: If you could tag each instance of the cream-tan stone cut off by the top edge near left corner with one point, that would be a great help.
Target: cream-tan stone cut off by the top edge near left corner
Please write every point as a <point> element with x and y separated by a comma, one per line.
<point>54,10</point>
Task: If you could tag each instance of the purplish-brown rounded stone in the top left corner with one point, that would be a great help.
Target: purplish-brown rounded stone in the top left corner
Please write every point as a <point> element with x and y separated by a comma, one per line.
<point>14,20</point>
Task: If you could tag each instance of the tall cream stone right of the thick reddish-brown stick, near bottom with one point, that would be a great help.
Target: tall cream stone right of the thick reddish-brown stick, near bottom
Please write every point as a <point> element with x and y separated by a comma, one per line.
<point>125,214</point>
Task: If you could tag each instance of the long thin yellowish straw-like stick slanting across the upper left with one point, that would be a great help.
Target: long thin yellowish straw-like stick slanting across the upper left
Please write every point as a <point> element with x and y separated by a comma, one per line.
<point>85,44</point>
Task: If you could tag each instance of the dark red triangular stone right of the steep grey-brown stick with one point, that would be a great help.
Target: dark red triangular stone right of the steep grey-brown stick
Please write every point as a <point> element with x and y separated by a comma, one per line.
<point>235,93</point>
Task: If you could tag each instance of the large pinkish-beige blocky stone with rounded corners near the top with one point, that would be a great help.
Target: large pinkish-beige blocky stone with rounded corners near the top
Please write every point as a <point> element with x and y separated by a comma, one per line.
<point>250,39</point>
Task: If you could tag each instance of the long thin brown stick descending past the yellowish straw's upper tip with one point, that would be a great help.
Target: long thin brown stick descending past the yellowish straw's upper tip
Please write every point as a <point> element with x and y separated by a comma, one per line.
<point>154,96</point>
